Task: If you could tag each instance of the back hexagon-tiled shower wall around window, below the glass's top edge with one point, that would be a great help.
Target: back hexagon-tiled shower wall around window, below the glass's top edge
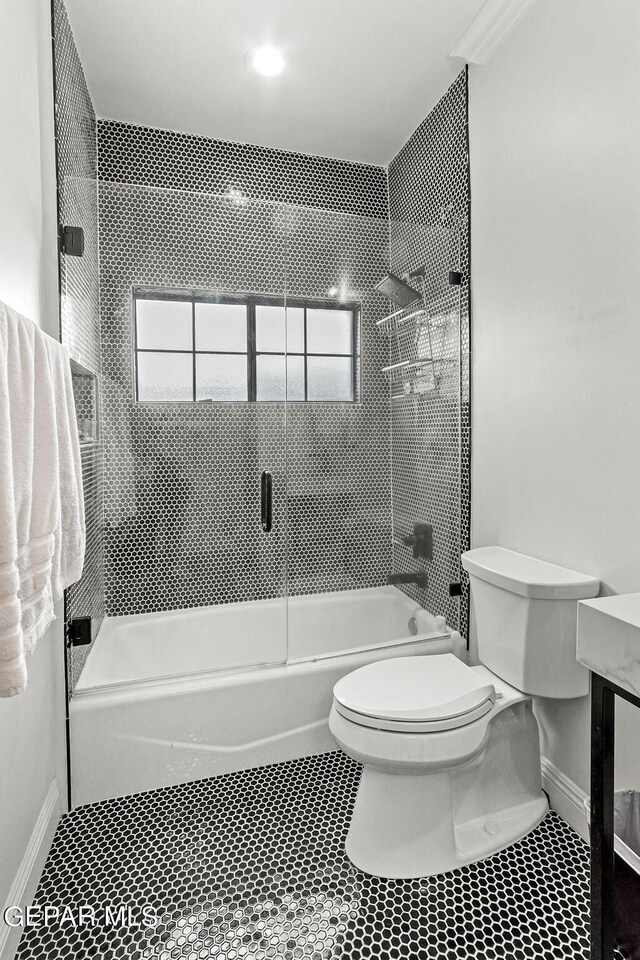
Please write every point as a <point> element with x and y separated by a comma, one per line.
<point>182,480</point>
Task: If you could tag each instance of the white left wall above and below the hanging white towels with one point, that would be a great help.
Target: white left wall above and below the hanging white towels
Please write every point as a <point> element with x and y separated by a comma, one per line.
<point>31,724</point>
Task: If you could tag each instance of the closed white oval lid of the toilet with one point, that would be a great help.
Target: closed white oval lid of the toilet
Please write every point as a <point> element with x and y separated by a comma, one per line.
<point>420,688</point>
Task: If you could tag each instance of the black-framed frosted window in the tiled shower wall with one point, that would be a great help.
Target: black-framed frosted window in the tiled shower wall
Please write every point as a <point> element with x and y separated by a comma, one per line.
<point>198,348</point>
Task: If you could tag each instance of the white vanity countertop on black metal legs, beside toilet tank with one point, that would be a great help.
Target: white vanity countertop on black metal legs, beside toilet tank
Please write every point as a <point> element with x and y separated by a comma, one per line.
<point>609,639</point>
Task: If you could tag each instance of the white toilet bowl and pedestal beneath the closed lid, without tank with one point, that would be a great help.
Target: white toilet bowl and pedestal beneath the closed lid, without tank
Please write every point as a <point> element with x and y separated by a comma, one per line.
<point>420,812</point>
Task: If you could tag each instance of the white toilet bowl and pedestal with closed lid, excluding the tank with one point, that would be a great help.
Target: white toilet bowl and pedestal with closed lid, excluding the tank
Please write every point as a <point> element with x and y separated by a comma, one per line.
<point>451,764</point>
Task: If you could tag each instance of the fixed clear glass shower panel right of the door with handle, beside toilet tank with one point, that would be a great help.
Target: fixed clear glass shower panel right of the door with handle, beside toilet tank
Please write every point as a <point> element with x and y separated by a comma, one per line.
<point>374,442</point>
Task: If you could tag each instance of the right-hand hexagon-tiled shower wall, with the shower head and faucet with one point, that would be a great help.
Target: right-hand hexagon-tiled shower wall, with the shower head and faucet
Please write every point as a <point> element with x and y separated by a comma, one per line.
<point>429,187</point>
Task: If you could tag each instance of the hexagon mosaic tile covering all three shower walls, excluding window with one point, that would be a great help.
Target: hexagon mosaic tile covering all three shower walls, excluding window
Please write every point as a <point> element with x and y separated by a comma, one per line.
<point>182,493</point>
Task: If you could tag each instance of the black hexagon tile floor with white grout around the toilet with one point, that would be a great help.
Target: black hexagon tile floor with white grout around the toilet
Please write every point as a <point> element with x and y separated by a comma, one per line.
<point>253,865</point>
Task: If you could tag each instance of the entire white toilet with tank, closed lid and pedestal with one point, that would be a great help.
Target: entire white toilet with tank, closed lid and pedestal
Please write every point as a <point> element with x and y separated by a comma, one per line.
<point>451,753</point>
